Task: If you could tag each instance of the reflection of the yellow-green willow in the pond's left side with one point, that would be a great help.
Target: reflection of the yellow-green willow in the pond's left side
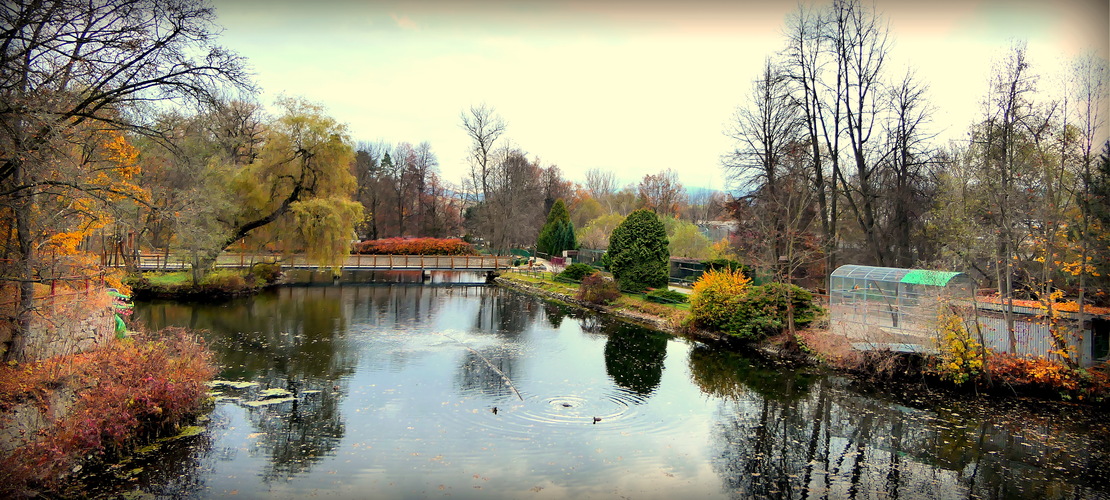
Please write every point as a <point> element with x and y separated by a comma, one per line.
<point>294,339</point>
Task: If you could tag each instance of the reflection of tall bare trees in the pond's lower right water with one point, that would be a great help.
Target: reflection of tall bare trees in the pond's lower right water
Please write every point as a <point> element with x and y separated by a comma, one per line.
<point>823,441</point>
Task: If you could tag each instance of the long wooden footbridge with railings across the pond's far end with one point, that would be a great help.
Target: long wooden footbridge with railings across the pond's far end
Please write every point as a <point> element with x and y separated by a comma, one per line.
<point>155,262</point>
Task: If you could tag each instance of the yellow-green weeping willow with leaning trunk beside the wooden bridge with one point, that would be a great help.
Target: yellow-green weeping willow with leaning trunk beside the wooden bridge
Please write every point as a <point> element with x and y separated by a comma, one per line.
<point>299,192</point>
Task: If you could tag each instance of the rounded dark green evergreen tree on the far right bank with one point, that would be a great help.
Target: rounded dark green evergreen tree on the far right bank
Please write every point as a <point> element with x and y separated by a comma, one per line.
<point>639,252</point>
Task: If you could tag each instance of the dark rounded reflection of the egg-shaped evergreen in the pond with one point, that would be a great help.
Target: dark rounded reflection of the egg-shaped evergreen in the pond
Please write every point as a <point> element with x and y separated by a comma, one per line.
<point>634,357</point>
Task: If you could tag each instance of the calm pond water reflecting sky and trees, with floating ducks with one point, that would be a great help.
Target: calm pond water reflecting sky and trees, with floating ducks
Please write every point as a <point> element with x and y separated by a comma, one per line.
<point>476,392</point>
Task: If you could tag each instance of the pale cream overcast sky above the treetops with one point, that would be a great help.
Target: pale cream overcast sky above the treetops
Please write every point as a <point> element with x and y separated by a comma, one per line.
<point>632,87</point>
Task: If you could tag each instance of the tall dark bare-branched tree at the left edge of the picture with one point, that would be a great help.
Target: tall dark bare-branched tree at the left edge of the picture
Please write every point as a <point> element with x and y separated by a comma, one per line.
<point>70,68</point>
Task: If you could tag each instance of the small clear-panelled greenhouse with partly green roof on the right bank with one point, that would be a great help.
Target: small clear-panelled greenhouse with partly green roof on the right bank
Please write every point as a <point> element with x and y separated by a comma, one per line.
<point>892,305</point>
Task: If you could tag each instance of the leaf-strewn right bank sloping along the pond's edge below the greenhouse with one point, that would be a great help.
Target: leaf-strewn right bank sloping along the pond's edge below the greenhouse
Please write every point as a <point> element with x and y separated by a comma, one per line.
<point>1008,378</point>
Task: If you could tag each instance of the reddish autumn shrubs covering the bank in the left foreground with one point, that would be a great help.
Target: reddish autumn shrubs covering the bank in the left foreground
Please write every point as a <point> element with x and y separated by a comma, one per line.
<point>97,406</point>
